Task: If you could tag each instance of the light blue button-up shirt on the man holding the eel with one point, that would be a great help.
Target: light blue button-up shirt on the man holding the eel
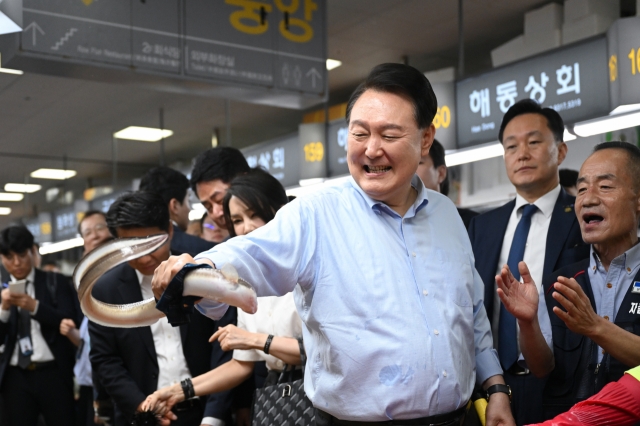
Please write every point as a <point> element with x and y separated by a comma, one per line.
<point>393,318</point>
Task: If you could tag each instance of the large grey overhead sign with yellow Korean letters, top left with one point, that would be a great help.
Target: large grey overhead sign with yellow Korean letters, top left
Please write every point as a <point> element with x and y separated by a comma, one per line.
<point>236,46</point>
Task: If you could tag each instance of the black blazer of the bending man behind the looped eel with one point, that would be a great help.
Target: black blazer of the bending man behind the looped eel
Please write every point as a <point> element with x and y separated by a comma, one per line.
<point>125,358</point>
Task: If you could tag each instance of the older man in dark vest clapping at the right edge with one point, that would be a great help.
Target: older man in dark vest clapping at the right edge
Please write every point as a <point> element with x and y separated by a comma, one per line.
<point>593,305</point>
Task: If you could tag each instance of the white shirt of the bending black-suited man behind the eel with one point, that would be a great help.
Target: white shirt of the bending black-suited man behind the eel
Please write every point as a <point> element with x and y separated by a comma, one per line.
<point>168,344</point>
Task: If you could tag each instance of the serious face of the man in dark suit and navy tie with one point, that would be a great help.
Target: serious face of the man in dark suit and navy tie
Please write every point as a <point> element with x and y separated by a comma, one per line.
<point>531,155</point>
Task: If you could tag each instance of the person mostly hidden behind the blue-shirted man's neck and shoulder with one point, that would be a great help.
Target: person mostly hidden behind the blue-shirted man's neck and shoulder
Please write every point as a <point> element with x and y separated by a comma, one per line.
<point>433,172</point>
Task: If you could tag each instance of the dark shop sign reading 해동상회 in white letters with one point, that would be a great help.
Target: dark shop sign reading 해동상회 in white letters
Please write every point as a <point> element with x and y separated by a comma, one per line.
<point>572,80</point>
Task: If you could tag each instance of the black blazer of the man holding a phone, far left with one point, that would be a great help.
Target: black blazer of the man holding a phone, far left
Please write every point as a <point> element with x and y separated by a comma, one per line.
<point>55,304</point>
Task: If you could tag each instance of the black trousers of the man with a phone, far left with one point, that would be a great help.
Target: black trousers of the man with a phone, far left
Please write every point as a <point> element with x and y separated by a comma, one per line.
<point>27,394</point>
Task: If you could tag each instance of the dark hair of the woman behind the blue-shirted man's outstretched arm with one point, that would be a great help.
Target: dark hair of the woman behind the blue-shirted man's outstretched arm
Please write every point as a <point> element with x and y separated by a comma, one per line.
<point>260,191</point>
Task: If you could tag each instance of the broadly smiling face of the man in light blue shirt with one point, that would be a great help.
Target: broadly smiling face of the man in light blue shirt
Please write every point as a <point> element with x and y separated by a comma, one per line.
<point>385,146</point>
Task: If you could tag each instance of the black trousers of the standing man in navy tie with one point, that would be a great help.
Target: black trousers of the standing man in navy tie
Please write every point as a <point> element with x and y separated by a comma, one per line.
<point>526,400</point>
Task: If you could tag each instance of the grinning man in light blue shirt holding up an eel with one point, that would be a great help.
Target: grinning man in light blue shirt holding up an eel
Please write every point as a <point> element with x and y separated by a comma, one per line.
<point>382,271</point>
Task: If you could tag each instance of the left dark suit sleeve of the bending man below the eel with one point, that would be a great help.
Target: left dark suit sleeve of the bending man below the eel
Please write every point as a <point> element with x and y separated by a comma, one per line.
<point>107,362</point>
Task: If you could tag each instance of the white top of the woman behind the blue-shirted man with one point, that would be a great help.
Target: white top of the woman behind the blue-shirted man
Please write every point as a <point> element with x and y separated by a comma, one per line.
<point>277,316</point>
